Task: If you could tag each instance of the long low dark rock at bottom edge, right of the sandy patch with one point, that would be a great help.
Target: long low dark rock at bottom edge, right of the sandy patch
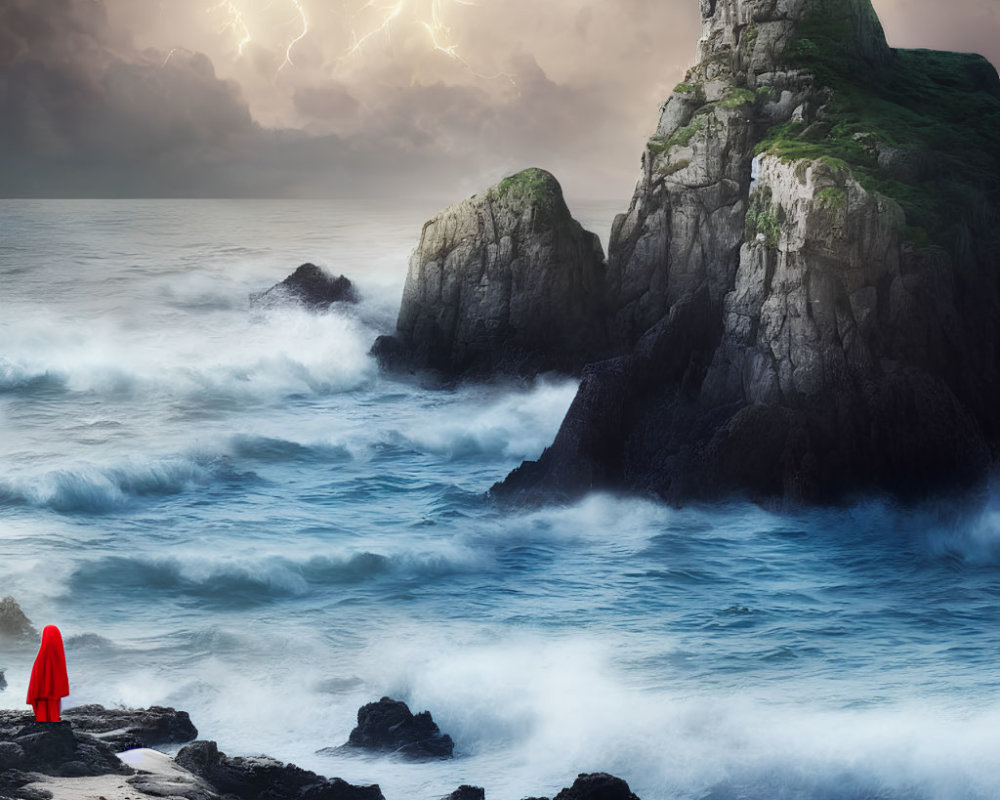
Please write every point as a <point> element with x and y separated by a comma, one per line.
<point>264,778</point>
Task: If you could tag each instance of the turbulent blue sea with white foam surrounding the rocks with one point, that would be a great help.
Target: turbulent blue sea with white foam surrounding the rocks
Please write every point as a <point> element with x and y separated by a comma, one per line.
<point>237,515</point>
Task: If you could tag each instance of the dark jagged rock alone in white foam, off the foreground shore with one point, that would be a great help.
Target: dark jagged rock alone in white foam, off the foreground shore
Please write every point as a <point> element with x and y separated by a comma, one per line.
<point>389,726</point>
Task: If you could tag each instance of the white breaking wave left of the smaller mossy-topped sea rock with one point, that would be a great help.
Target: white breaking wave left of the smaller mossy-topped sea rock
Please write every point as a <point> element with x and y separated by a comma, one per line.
<point>290,352</point>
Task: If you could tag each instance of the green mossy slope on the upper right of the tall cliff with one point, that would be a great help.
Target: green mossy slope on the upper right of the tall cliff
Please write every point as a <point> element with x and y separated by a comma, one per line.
<point>941,110</point>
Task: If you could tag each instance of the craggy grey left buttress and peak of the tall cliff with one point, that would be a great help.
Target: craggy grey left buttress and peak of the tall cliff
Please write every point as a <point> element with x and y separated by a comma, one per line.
<point>684,227</point>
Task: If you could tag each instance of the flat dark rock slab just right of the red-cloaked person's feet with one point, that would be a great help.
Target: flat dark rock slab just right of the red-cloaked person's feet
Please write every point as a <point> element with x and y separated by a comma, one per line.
<point>124,729</point>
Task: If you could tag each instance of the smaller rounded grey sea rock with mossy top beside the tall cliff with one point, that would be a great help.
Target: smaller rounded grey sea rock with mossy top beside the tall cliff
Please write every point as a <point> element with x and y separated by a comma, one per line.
<point>506,281</point>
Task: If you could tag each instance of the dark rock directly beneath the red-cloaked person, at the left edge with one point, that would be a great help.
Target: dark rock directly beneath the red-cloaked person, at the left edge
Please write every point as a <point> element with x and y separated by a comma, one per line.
<point>51,748</point>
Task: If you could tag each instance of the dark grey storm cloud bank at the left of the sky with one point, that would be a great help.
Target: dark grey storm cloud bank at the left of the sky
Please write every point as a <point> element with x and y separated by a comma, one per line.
<point>83,110</point>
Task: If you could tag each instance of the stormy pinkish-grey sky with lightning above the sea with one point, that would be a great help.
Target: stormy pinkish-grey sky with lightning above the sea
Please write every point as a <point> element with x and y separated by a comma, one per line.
<point>366,98</point>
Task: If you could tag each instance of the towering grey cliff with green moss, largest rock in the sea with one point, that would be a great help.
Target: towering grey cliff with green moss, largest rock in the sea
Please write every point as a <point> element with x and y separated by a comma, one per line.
<point>806,284</point>
